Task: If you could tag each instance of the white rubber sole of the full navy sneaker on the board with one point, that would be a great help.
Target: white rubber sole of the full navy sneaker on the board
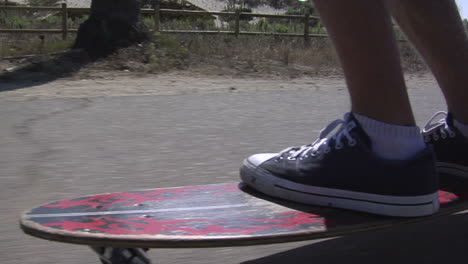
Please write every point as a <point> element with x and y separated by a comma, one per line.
<point>399,206</point>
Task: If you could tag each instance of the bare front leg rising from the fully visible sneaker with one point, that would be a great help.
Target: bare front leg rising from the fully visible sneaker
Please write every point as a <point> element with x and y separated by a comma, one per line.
<point>362,33</point>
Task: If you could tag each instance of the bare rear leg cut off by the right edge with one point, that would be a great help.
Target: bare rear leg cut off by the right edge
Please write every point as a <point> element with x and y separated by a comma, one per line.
<point>436,29</point>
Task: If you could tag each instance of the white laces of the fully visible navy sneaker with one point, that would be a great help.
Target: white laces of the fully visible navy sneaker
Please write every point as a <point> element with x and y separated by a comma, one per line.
<point>321,145</point>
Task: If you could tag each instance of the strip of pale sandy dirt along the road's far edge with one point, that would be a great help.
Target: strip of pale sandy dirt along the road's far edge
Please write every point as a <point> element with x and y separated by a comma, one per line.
<point>174,83</point>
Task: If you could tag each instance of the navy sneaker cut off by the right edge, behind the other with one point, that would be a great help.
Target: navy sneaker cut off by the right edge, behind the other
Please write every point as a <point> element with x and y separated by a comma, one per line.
<point>450,146</point>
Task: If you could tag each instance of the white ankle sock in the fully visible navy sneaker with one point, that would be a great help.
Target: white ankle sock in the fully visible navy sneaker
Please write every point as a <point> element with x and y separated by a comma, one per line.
<point>393,142</point>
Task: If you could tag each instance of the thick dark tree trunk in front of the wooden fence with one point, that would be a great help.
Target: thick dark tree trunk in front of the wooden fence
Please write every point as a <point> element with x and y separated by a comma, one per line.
<point>111,25</point>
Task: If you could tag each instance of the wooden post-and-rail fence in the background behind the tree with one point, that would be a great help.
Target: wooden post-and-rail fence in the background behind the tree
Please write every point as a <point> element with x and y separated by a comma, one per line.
<point>156,12</point>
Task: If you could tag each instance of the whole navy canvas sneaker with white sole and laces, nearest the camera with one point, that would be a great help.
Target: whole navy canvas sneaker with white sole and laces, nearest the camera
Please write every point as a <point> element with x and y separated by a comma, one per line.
<point>341,171</point>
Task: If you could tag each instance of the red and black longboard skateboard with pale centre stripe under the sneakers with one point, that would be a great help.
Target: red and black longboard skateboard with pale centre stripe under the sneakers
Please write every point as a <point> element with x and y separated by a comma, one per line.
<point>121,227</point>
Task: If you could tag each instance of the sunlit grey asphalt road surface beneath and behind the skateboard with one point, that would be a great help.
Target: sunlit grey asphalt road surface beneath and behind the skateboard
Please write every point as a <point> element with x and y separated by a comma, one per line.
<point>62,148</point>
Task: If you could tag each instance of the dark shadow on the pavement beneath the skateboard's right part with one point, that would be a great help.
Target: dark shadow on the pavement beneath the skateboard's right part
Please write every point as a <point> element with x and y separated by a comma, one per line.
<point>434,241</point>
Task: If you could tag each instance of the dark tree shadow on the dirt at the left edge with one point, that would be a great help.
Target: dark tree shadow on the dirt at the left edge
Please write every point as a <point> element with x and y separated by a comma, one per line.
<point>43,69</point>
